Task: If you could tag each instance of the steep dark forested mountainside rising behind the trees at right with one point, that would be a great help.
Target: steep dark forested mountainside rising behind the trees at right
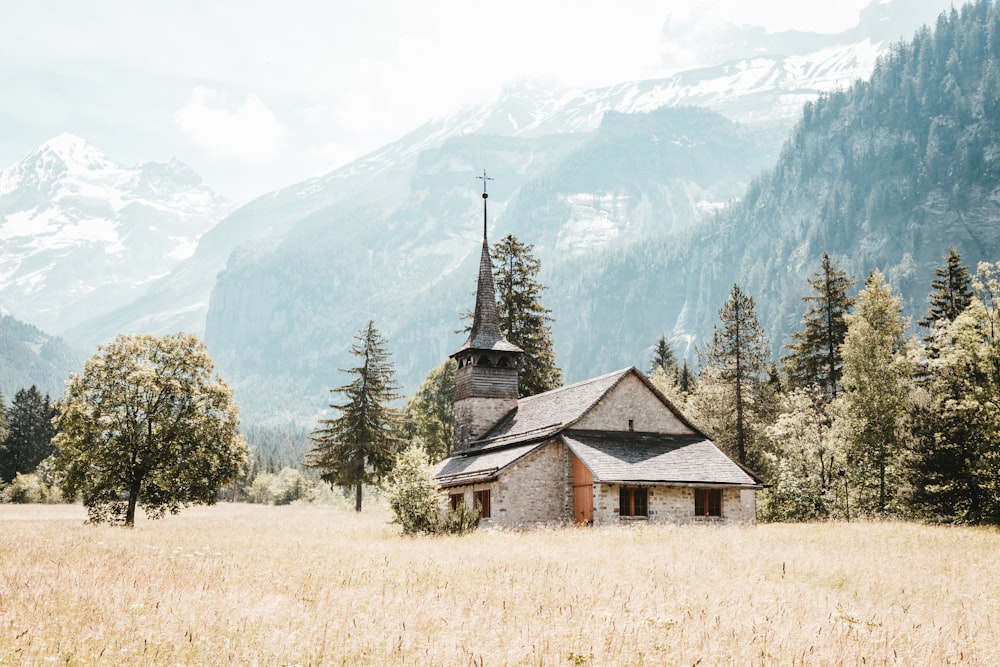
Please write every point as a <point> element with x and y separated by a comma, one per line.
<point>884,175</point>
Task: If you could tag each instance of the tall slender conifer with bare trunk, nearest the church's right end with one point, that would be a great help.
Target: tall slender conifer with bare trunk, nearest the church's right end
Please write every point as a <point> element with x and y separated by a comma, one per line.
<point>736,360</point>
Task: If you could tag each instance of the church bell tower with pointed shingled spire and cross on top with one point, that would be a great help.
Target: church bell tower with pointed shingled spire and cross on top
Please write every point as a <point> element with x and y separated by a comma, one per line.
<point>486,378</point>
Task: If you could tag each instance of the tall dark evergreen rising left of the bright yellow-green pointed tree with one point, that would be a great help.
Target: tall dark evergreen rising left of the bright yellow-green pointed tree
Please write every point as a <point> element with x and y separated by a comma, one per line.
<point>814,357</point>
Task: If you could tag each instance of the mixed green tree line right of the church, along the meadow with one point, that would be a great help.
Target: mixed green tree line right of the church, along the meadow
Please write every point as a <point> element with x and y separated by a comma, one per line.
<point>858,418</point>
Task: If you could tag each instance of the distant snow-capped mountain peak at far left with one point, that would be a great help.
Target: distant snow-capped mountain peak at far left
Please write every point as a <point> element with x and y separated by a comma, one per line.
<point>81,234</point>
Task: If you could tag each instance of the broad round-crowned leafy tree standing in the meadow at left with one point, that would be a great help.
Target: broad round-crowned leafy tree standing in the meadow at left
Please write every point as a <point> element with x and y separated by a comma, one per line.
<point>147,423</point>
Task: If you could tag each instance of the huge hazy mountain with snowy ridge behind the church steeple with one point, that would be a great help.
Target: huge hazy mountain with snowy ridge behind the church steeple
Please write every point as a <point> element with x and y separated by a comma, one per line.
<point>609,186</point>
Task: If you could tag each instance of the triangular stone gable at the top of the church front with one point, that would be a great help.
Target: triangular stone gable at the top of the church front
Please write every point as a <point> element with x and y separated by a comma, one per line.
<point>631,399</point>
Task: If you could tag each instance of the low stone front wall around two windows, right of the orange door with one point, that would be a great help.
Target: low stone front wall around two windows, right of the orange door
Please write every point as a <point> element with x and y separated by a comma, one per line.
<point>674,504</point>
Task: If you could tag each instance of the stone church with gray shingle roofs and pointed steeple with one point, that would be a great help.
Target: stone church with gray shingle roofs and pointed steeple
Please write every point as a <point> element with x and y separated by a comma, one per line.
<point>606,451</point>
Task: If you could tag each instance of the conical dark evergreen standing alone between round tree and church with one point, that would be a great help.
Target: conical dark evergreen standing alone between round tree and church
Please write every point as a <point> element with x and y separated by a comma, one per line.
<point>359,447</point>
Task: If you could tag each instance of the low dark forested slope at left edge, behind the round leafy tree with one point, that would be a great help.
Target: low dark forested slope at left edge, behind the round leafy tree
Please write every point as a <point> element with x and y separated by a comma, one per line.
<point>29,357</point>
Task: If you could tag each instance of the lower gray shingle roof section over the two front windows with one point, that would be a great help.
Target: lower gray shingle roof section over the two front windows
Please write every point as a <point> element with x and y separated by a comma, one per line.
<point>655,457</point>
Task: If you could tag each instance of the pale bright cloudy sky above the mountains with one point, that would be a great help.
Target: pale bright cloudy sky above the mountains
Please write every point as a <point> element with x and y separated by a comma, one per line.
<point>259,95</point>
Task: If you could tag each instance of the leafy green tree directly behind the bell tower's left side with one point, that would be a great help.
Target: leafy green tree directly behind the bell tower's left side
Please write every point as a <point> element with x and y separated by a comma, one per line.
<point>430,419</point>
